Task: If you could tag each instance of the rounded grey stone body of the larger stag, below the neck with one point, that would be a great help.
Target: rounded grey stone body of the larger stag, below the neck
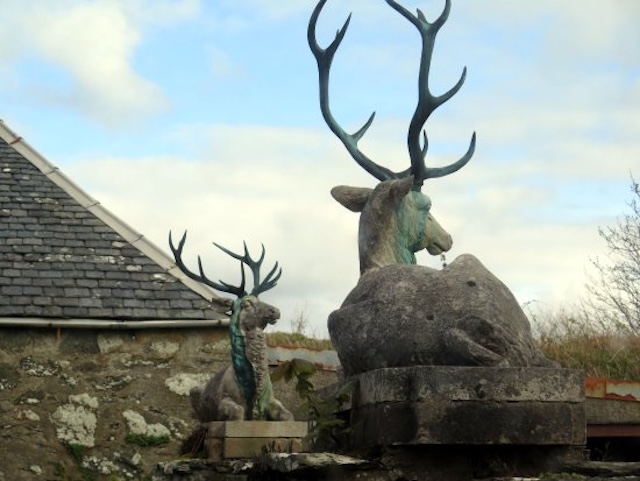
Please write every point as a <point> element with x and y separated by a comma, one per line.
<point>410,315</point>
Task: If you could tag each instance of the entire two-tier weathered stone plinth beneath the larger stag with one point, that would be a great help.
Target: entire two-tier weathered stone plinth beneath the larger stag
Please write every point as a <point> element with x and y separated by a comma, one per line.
<point>467,405</point>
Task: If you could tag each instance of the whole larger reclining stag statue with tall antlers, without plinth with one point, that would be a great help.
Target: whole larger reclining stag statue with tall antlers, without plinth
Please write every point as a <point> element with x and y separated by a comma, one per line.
<point>400,314</point>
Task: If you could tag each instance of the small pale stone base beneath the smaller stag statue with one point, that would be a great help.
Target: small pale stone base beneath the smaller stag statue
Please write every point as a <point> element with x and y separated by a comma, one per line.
<point>248,439</point>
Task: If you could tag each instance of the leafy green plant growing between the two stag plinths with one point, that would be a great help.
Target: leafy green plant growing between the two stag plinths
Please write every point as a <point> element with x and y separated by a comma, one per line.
<point>326,428</point>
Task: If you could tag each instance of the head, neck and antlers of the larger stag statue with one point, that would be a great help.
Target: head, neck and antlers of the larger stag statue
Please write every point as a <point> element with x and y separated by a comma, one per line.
<point>395,219</point>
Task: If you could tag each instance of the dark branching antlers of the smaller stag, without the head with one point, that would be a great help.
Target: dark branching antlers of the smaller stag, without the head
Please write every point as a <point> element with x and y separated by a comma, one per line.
<point>258,286</point>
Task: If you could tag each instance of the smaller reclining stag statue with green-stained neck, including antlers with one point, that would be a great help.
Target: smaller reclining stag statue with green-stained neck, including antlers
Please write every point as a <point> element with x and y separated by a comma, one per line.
<point>243,390</point>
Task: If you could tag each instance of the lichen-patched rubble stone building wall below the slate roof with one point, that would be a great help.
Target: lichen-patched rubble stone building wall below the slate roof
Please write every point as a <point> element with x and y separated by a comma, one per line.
<point>103,404</point>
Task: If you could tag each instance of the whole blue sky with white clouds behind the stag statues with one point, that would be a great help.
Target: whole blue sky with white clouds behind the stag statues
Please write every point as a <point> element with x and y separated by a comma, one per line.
<point>203,115</point>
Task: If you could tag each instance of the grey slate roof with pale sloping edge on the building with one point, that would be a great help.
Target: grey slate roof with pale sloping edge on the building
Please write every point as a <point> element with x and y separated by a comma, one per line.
<point>63,256</point>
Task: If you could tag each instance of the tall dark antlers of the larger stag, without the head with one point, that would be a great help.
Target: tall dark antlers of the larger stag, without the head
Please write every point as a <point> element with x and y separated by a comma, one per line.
<point>427,103</point>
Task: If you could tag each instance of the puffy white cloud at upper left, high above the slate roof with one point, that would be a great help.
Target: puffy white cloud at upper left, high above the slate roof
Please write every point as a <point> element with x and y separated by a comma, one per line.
<point>94,43</point>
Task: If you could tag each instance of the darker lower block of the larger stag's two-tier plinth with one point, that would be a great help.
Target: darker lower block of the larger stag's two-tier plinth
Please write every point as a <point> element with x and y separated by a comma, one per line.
<point>469,423</point>
